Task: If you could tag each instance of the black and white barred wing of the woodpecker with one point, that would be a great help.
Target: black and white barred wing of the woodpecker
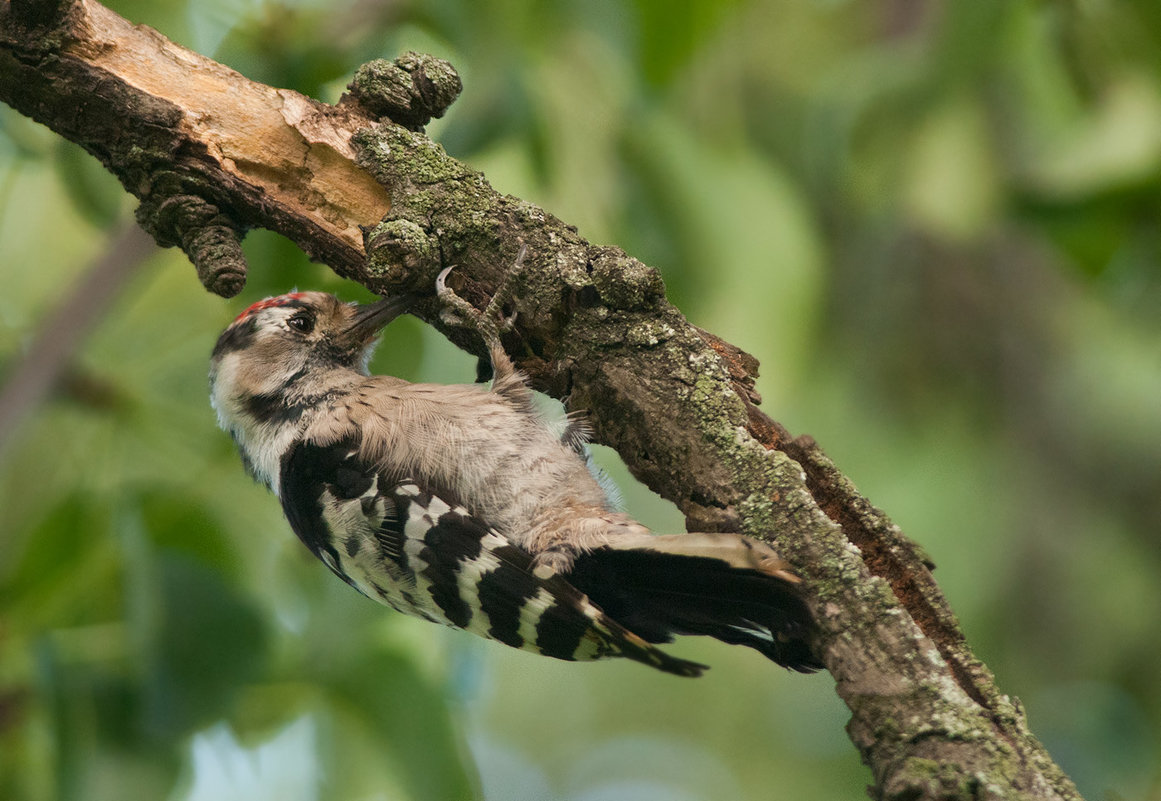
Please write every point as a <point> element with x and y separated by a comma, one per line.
<point>421,553</point>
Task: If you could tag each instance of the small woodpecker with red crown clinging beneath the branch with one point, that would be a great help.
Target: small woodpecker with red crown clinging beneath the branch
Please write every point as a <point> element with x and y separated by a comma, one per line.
<point>459,504</point>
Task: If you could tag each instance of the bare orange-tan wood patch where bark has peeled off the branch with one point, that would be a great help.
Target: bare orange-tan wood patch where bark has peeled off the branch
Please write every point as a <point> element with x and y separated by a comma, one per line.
<point>285,146</point>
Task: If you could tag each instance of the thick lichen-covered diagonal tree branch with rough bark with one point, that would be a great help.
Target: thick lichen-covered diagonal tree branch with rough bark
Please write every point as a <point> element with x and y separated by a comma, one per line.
<point>212,154</point>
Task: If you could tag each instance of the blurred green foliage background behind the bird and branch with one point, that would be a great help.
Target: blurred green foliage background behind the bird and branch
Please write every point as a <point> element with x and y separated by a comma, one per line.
<point>935,223</point>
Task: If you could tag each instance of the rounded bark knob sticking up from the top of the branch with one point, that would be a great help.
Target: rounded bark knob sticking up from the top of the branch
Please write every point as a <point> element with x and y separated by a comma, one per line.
<point>409,91</point>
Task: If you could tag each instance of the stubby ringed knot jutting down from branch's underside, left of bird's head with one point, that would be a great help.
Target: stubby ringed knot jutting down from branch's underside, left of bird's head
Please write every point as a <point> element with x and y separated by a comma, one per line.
<point>208,237</point>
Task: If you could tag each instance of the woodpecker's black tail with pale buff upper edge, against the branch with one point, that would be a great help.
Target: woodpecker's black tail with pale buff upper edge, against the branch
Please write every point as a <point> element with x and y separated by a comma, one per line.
<point>727,587</point>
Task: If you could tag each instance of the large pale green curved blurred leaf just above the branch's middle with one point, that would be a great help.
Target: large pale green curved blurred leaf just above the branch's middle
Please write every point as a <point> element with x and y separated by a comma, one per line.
<point>745,230</point>
